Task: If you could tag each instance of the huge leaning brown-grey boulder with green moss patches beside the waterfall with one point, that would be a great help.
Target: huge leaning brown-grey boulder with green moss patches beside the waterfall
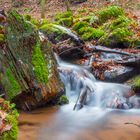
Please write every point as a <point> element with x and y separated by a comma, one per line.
<point>29,68</point>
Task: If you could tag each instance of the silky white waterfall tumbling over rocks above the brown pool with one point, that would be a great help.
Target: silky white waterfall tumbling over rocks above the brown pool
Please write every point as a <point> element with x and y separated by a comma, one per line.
<point>79,82</point>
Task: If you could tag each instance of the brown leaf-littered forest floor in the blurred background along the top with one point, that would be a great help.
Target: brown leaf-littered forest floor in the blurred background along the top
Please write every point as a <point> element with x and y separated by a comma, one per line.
<point>54,6</point>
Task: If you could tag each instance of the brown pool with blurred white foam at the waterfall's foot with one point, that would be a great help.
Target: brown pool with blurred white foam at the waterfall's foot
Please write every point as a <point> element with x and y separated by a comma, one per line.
<point>56,123</point>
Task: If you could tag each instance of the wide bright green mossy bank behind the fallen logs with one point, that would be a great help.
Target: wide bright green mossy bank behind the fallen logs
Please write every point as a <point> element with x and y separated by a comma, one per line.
<point>109,26</point>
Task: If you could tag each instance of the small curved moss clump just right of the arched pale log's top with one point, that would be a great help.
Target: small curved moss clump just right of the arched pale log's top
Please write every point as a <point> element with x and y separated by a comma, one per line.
<point>77,26</point>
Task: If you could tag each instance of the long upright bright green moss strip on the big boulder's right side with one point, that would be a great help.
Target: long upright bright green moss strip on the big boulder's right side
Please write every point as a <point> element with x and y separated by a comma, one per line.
<point>39,63</point>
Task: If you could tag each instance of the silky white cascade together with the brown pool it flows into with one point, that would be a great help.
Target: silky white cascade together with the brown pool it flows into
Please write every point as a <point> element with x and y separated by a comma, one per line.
<point>108,106</point>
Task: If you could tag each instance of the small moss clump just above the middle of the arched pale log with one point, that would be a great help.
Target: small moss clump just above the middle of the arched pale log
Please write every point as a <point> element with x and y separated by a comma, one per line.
<point>66,21</point>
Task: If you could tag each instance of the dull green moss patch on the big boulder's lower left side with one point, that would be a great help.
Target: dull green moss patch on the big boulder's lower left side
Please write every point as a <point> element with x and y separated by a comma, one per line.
<point>11,85</point>
